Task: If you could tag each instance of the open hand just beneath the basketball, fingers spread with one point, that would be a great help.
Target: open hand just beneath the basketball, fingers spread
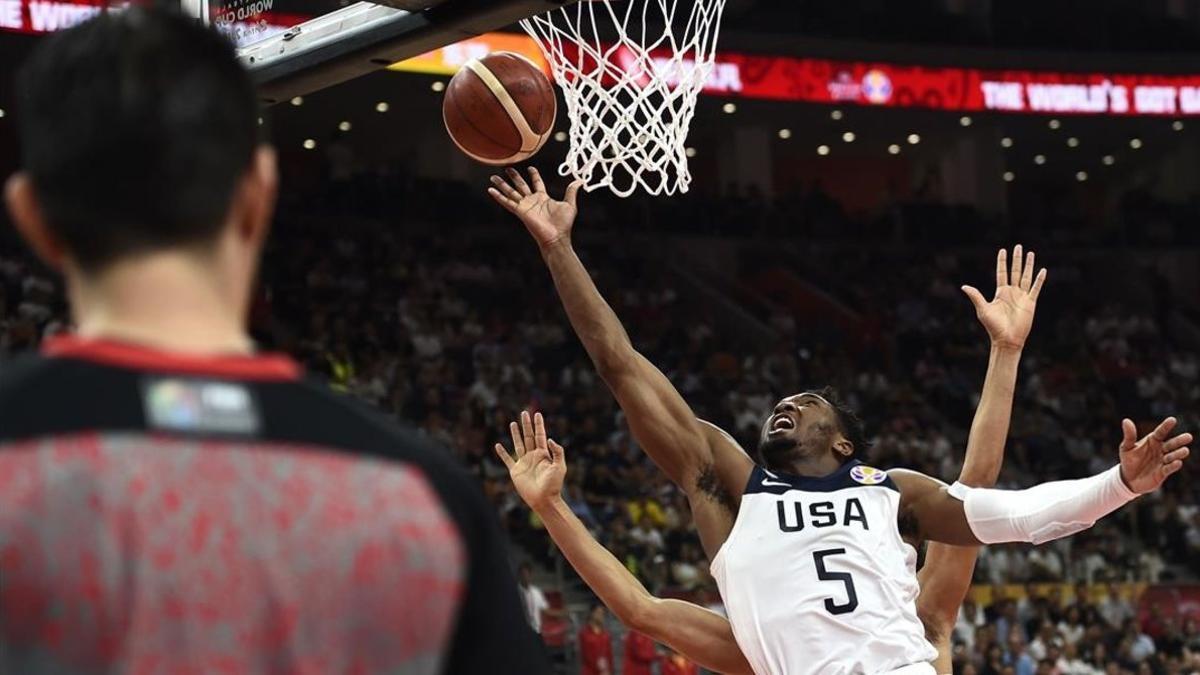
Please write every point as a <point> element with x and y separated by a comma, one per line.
<point>548,220</point>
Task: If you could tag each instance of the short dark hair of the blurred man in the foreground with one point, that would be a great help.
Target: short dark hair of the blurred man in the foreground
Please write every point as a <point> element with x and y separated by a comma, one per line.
<point>135,128</point>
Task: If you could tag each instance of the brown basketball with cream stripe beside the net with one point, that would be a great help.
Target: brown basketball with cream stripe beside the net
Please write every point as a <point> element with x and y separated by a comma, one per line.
<point>500,110</point>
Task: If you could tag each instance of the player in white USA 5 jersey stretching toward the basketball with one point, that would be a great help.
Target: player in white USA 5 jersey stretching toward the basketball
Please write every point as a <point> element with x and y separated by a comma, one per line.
<point>814,552</point>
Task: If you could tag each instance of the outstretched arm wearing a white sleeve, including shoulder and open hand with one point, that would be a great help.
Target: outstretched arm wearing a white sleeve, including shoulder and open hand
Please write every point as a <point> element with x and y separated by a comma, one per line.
<point>968,516</point>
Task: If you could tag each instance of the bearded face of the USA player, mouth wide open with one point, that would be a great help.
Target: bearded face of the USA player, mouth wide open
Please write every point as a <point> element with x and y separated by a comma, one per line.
<point>801,426</point>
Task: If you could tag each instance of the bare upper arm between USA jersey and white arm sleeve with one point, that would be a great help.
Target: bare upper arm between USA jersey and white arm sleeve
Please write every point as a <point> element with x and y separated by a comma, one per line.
<point>937,516</point>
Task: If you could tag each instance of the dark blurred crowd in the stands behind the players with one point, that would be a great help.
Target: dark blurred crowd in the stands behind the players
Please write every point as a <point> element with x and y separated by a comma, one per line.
<point>457,331</point>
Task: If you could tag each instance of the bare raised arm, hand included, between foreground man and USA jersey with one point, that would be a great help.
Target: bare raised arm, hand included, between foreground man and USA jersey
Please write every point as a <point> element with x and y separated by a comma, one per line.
<point>538,470</point>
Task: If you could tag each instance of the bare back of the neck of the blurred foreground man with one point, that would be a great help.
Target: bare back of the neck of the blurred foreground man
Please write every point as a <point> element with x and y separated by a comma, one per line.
<point>165,301</point>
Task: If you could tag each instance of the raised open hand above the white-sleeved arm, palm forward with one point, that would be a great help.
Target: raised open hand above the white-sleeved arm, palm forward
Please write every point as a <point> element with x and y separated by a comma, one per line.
<point>1009,318</point>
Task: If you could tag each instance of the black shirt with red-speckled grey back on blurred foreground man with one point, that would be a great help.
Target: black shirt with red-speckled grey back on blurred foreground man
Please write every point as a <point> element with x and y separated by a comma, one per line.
<point>176,515</point>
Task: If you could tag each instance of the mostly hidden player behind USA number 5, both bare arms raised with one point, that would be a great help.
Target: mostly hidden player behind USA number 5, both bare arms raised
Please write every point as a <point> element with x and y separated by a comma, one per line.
<point>539,469</point>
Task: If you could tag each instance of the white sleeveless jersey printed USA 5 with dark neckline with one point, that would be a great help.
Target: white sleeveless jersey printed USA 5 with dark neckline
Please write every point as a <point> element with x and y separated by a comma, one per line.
<point>817,580</point>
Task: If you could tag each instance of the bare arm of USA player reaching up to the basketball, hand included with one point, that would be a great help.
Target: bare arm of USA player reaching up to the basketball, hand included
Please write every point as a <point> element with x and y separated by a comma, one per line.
<point>706,467</point>
